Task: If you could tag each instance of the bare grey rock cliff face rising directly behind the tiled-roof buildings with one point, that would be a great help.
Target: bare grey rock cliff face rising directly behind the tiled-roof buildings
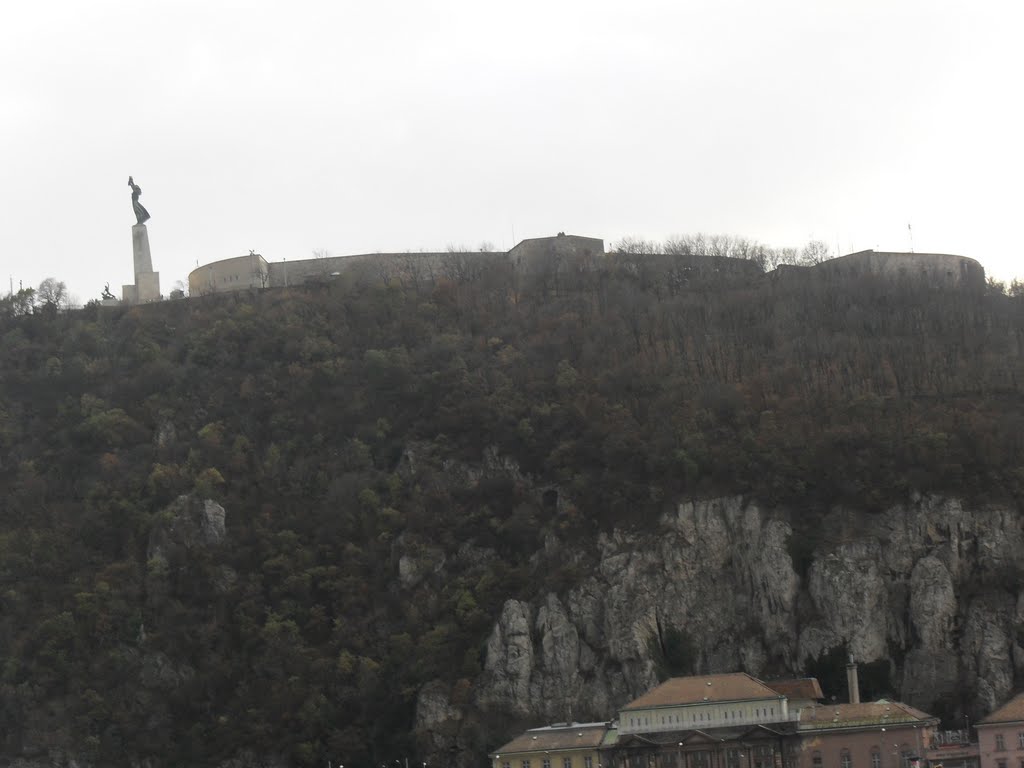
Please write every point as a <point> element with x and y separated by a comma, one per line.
<point>930,589</point>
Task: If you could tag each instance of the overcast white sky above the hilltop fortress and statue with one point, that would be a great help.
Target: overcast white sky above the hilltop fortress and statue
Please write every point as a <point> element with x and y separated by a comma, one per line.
<point>405,125</point>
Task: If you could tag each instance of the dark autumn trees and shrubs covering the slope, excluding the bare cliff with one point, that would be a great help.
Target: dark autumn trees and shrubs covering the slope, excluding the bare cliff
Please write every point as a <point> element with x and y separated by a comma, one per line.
<point>626,388</point>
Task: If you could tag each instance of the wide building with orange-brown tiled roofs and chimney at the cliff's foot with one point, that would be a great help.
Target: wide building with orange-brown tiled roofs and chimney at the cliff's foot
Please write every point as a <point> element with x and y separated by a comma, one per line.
<point>737,721</point>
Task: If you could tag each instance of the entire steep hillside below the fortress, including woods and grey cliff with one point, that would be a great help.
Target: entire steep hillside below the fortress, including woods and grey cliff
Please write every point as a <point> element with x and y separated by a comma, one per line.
<point>412,473</point>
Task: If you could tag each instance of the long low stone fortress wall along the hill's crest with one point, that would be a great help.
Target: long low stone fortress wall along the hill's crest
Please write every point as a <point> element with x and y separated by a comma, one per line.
<point>569,254</point>
